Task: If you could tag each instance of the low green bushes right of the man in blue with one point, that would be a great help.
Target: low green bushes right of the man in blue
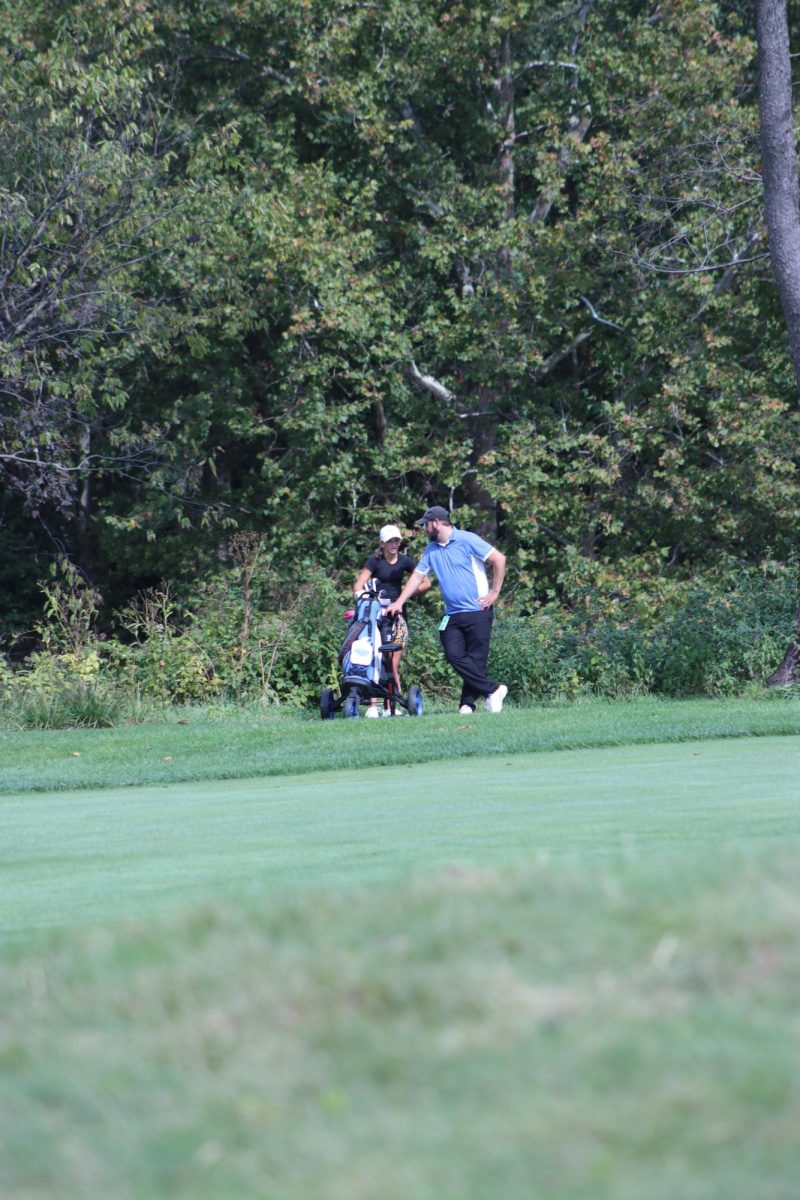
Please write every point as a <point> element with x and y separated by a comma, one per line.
<point>711,637</point>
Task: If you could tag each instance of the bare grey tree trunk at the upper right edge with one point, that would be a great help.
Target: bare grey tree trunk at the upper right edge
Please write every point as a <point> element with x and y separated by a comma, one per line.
<point>779,163</point>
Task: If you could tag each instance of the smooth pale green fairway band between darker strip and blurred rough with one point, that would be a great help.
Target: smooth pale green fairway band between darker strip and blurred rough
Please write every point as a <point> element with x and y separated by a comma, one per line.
<point>73,856</point>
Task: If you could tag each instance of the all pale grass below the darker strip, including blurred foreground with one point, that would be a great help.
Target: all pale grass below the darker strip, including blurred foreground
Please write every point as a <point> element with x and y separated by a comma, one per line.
<point>568,974</point>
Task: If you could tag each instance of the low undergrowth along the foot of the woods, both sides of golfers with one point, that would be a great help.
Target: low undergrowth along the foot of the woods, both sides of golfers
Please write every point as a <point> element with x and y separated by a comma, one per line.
<point>248,637</point>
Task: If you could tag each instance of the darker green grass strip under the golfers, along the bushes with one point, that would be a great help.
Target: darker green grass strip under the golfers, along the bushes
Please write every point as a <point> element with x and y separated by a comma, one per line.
<point>199,745</point>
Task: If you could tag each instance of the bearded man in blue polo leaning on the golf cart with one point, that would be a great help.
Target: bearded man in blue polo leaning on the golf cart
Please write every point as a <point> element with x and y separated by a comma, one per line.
<point>459,561</point>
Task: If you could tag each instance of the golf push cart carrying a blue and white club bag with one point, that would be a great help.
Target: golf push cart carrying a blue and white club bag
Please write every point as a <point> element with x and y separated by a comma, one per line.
<point>366,669</point>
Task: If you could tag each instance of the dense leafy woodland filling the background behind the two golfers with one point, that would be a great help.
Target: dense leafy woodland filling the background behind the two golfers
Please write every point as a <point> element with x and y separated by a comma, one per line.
<point>274,274</point>
